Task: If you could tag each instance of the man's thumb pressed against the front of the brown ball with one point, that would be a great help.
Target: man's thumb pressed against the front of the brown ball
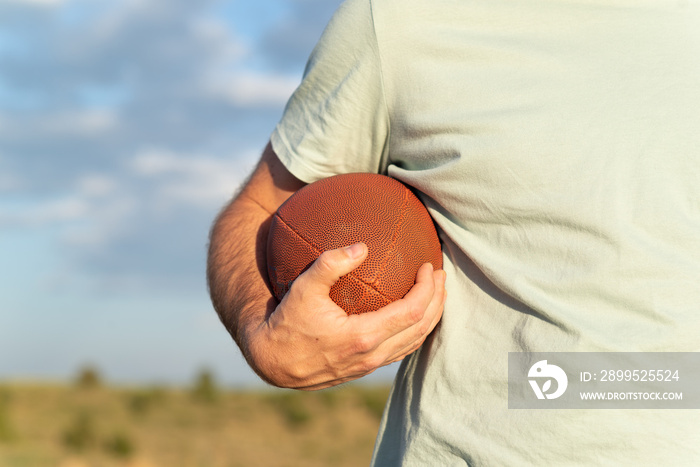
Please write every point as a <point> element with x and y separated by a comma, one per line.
<point>330,266</point>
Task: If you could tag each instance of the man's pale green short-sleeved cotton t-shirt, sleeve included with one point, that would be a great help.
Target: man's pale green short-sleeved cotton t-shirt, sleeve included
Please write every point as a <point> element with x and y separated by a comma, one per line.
<point>556,143</point>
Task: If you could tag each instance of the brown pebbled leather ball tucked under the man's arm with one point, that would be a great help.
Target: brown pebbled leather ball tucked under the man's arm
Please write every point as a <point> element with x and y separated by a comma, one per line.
<point>345,209</point>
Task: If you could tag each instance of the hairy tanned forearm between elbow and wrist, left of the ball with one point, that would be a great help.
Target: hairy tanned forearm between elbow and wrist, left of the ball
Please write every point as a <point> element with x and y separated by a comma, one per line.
<point>236,268</point>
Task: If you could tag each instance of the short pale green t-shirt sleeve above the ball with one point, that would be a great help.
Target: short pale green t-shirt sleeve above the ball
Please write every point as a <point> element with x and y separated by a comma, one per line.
<point>336,121</point>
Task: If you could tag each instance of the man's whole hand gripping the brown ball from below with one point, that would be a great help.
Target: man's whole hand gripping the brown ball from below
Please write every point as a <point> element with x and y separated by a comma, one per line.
<point>310,343</point>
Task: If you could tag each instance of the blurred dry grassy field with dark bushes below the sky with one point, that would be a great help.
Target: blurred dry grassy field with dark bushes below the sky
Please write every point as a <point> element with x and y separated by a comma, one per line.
<point>90,424</point>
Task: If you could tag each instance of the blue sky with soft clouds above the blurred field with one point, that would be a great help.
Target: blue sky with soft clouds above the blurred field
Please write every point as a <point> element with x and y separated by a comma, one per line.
<point>125,125</point>
